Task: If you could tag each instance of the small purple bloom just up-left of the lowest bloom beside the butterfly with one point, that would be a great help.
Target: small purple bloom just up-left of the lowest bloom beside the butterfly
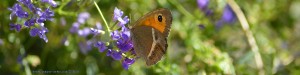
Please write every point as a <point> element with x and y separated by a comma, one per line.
<point>114,54</point>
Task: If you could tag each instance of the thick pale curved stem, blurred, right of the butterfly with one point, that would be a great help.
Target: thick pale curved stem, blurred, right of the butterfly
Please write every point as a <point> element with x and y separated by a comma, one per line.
<point>249,35</point>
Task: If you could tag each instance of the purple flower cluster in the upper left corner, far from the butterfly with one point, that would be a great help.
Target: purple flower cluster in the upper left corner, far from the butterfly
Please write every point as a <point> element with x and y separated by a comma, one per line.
<point>38,16</point>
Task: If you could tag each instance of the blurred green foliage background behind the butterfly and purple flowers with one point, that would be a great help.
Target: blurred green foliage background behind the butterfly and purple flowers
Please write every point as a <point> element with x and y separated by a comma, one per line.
<point>208,49</point>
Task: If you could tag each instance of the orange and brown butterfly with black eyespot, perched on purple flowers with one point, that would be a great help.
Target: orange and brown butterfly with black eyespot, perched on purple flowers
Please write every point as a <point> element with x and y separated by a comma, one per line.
<point>150,33</point>
